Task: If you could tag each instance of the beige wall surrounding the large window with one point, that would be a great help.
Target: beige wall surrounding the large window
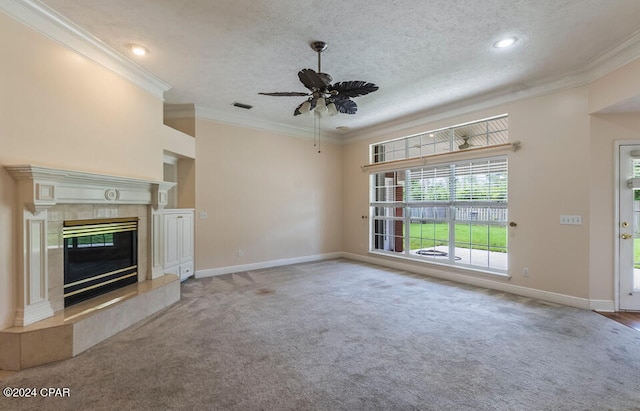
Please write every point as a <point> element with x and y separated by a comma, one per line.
<point>547,177</point>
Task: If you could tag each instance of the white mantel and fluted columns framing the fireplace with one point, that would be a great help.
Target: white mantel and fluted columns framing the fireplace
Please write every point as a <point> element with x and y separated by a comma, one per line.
<point>40,188</point>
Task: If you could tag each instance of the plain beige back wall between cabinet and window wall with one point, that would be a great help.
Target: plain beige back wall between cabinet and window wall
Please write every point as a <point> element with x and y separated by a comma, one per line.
<point>271,196</point>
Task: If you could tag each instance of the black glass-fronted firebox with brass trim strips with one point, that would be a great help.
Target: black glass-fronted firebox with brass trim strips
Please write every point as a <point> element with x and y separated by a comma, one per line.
<point>100,255</point>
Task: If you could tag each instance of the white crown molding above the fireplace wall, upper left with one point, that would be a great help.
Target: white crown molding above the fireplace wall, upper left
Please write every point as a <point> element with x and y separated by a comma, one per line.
<point>53,25</point>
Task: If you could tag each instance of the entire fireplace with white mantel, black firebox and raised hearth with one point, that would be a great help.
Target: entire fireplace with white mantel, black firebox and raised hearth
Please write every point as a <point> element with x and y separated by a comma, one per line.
<point>67,224</point>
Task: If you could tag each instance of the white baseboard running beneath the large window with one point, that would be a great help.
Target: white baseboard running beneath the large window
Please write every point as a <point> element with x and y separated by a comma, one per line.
<point>584,303</point>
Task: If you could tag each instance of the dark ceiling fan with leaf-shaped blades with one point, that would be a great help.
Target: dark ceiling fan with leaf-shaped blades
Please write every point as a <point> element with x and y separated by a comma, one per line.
<point>325,97</point>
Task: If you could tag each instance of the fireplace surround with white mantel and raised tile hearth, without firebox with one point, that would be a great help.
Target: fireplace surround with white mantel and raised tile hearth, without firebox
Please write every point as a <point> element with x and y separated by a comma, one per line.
<point>44,331</point>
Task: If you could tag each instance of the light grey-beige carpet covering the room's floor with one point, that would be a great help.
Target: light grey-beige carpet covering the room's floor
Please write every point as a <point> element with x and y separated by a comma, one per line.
<point>341,335</point>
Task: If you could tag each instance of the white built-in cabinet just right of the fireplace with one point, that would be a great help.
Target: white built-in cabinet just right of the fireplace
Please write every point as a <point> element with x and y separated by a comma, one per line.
<point>178,242</point>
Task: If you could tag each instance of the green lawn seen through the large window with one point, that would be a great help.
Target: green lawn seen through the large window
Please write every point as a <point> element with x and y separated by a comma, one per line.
<point>479,235</point>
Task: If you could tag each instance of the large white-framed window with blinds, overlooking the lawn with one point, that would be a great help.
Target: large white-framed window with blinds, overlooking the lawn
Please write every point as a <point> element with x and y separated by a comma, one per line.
<point>451,213</point>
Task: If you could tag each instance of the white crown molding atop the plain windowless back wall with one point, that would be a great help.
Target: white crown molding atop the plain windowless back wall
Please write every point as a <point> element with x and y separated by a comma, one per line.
<point>263,125</point>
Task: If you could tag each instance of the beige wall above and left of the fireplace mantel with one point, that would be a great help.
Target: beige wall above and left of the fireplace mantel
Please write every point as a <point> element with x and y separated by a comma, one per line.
<point>58,109</point>
